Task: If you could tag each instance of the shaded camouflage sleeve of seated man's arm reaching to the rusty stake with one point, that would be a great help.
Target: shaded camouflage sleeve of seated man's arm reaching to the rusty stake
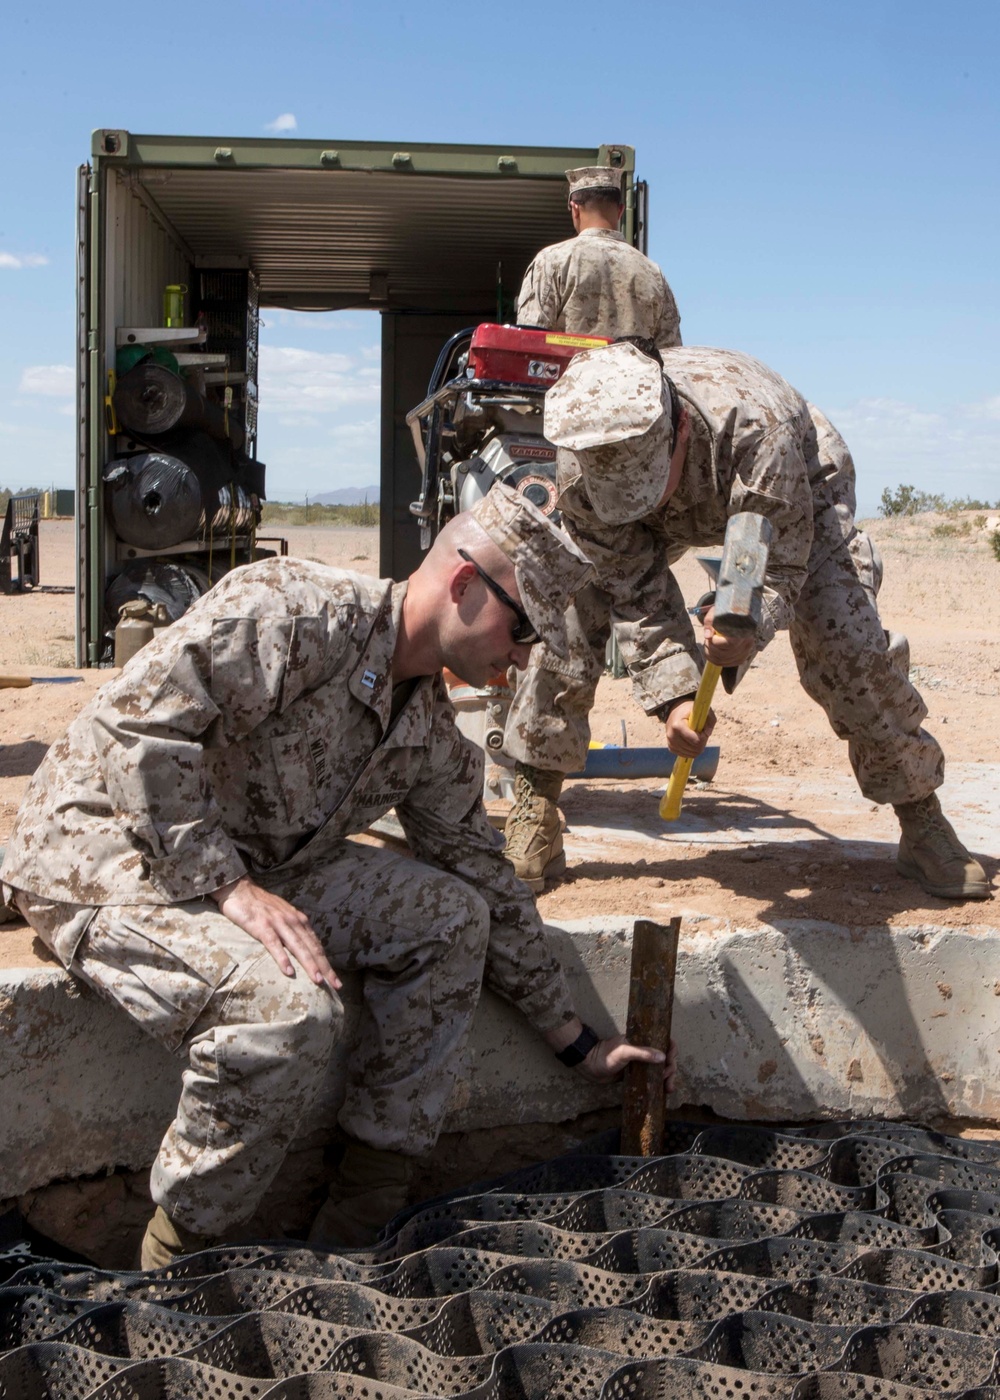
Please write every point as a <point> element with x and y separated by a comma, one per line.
<point>446,827</point>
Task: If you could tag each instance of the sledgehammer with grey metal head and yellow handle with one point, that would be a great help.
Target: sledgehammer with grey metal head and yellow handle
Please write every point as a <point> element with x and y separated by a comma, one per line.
<point>739,597</point>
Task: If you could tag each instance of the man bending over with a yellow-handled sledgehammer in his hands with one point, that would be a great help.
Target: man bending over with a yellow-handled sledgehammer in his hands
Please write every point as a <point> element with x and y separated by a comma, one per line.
<point>653,461</point>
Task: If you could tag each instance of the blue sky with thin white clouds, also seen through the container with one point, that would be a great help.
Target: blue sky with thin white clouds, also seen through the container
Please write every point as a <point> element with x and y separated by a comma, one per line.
<point>823,192</point>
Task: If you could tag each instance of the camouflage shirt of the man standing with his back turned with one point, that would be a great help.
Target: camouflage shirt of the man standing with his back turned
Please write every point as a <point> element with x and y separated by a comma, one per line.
<point>599,285</point>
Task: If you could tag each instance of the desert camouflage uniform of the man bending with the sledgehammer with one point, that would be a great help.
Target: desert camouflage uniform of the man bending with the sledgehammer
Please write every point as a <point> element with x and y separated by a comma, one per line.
<point>756,446</point>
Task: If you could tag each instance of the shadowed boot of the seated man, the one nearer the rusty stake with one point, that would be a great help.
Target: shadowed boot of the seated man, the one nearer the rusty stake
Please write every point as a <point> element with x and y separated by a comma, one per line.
<point>369,1188</point>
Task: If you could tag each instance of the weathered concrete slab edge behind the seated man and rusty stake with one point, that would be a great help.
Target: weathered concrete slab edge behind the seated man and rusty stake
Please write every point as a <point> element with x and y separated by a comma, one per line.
<point>795,1021</point>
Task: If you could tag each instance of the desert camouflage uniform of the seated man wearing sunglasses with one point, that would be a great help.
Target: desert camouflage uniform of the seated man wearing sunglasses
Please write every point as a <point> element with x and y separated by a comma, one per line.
<point>256,736</point>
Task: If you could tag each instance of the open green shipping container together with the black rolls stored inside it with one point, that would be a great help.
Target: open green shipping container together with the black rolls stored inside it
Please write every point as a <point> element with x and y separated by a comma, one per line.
<point>184,241</point>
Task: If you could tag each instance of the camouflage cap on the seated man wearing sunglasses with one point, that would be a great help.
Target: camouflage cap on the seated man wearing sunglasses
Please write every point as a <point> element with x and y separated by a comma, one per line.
<point>548,566</point>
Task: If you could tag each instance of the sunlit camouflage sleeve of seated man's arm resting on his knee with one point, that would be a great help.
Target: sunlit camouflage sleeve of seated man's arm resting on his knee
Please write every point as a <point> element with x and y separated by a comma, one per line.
<point>205,682</point>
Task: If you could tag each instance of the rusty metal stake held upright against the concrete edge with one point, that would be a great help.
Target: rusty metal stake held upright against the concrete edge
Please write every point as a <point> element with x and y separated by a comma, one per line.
<point>649,1023</point>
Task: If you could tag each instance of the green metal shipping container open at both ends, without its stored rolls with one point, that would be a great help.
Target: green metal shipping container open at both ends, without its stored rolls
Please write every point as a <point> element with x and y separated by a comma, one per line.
<point>433,237</point>
